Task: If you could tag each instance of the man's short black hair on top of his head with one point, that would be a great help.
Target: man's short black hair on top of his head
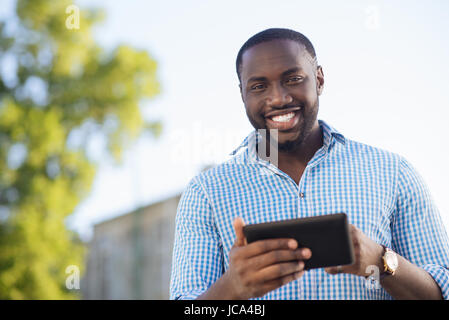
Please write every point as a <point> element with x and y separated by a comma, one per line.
<point>274,34</point>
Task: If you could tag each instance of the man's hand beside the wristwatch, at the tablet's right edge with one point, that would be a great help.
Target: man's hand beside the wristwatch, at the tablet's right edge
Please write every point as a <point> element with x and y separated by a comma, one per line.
<point>366,252</point>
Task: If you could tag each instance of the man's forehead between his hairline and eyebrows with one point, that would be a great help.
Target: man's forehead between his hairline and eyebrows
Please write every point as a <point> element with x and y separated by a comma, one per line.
<point>275,55</point>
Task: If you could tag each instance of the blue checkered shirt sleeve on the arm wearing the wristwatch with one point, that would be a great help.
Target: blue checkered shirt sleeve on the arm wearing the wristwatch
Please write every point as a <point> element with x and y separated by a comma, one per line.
<point>418,232</point>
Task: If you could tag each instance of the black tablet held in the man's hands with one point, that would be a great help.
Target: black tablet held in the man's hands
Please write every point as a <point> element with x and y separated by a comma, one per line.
<point>327,236</point>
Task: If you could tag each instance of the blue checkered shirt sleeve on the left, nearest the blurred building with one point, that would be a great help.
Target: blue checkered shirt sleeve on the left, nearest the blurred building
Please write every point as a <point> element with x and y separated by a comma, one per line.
<point>197,253</point>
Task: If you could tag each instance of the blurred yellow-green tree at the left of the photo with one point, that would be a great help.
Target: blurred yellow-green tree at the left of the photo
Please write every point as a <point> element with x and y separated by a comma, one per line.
<point>56,84</point>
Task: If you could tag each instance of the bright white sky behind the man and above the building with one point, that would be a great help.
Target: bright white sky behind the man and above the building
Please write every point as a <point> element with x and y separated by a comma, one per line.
<point>385,65</point>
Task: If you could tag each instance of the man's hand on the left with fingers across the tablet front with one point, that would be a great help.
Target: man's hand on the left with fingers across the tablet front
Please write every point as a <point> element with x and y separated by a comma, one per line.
<point>262,266</point>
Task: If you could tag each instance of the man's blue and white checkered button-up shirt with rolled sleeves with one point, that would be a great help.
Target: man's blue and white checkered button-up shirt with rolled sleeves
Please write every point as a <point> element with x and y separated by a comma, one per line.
<point>380,191</point>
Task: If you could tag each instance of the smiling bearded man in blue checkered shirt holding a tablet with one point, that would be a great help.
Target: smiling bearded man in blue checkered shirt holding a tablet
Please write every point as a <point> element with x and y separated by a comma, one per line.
<point>395,225</point>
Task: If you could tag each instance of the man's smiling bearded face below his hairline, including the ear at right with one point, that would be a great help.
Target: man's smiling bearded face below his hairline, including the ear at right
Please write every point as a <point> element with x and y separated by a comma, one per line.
<point>280,78</point>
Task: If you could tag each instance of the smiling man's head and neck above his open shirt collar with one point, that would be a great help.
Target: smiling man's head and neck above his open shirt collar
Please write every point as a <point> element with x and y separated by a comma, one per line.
<point>280,83</point>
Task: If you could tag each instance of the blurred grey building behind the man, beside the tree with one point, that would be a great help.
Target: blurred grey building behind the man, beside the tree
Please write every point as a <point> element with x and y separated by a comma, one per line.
<point>130,256</point>
